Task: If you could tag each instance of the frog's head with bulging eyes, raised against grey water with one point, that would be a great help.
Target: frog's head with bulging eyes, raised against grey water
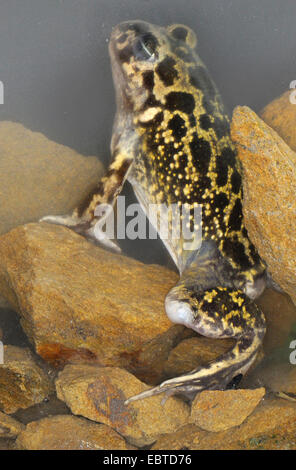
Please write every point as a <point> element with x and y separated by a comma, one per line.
<point>147,61</point>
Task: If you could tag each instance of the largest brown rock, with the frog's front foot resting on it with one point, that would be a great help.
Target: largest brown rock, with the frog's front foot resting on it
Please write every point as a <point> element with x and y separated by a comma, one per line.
<point>78,301</point>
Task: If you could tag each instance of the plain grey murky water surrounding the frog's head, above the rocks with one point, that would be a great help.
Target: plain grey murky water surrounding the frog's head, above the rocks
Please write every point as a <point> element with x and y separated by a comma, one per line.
<point>55,67</point>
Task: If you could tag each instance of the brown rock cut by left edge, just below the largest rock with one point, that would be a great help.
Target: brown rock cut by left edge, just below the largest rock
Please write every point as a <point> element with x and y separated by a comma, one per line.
<point>22,382</point>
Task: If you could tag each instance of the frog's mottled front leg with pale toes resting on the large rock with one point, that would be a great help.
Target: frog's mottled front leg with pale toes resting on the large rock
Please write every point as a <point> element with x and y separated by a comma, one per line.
<point>88,218</point>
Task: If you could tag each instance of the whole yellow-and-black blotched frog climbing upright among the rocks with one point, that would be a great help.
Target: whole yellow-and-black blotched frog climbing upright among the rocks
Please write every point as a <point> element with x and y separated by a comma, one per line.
<point>171,141</point>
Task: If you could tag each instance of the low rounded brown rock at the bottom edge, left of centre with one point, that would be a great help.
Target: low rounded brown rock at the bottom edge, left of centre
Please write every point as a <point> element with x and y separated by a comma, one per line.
<point>69,433</point>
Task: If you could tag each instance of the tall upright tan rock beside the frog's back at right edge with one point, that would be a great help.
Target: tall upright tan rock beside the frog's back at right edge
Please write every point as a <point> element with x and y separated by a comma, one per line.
<point>269,194</point>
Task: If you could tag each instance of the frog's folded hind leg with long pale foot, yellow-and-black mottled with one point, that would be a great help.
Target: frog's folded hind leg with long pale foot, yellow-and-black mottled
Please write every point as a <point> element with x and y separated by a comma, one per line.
<point>219,312</point>
